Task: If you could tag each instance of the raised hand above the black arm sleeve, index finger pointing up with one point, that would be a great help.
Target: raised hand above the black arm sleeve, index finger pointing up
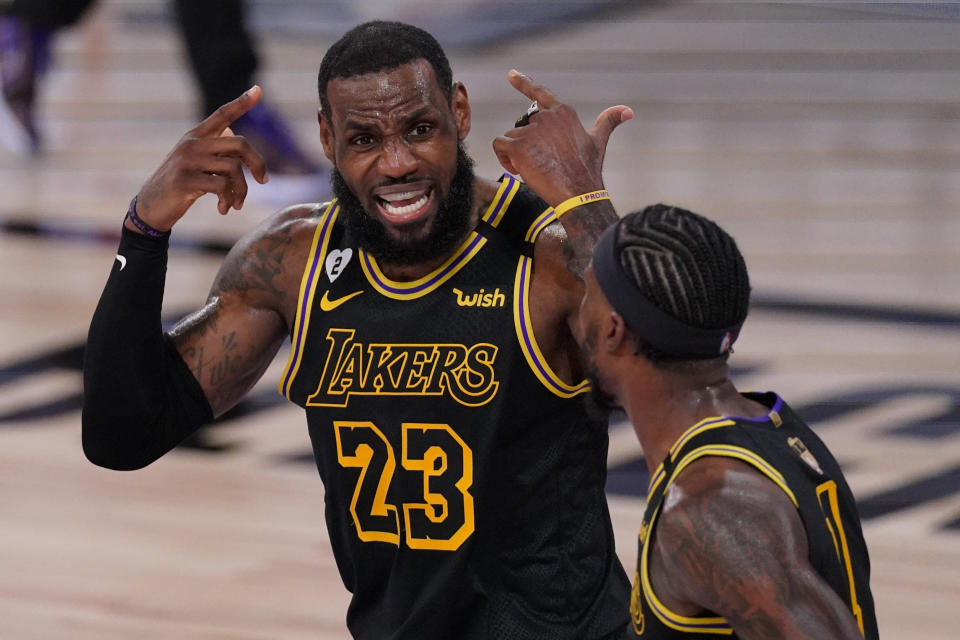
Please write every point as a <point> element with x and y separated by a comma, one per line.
<point>208,159</point>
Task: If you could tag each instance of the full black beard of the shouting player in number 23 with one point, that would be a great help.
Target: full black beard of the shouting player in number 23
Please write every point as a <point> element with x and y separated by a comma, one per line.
<point>450,225</point>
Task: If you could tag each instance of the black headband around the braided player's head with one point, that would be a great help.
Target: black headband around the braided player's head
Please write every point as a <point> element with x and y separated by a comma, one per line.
<point>649,322</point>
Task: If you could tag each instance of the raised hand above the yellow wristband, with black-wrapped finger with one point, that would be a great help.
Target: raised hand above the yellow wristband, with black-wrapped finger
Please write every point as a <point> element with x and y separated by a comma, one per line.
<point>554,154</point>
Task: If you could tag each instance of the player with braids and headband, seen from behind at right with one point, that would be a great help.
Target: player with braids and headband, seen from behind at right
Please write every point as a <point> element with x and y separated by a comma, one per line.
<point>750,528</point>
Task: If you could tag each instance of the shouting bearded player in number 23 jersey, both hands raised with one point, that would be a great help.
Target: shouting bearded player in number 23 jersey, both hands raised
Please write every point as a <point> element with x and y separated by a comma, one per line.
<point>430,314</point>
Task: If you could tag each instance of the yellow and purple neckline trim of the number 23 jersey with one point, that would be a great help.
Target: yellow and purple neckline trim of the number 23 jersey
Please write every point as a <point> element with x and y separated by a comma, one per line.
<point>469,248</point>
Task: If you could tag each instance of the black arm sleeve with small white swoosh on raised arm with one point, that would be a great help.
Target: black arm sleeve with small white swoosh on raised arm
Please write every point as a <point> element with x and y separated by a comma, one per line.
<point>139,399</point>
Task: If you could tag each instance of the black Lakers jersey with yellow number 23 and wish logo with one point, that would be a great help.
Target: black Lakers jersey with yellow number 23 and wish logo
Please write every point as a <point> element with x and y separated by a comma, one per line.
<point>464,481</point>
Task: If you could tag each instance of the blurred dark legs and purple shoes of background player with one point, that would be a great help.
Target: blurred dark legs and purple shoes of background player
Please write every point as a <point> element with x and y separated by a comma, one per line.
<point>223,60</point>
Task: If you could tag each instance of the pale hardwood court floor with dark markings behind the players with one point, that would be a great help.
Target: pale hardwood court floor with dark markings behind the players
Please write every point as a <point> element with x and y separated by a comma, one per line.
<point>824,136</point>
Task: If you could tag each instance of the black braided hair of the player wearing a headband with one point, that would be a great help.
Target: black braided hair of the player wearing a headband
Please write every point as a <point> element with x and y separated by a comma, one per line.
<point>687,266</point>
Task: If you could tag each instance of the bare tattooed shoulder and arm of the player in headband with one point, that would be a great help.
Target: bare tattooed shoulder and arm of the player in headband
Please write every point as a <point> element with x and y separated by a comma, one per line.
<point>738,549</point>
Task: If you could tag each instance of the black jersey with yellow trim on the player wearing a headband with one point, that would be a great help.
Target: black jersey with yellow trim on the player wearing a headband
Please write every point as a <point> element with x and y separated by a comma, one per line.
<point>786,450</point>
